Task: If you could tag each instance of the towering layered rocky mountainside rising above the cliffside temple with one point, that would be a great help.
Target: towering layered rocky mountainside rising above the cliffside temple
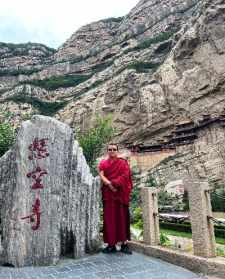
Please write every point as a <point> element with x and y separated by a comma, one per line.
<point>158,65</point>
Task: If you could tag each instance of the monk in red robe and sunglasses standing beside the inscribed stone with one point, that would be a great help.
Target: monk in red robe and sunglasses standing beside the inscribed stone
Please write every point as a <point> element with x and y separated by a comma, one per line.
<point>116,181</point>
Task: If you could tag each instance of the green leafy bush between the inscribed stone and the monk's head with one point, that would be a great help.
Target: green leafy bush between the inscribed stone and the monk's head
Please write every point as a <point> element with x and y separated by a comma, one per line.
<point>93,140</point>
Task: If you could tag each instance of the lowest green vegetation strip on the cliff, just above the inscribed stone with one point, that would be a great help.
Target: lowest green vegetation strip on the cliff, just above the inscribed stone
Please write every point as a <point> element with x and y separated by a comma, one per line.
<point>44,108</point>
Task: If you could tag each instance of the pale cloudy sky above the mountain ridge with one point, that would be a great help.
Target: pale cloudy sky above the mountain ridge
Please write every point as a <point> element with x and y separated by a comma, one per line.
<point>52,22</point>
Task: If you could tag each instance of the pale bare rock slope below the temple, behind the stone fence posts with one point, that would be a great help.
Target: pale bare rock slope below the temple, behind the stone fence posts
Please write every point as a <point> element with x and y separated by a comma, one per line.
<point>202,160</point>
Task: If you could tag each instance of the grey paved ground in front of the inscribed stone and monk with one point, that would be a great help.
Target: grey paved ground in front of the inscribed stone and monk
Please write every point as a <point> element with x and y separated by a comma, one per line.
<point>117,266</point>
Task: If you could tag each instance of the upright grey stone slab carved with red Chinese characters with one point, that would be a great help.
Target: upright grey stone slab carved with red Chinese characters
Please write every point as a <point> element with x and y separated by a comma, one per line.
<point>68,200</point>
